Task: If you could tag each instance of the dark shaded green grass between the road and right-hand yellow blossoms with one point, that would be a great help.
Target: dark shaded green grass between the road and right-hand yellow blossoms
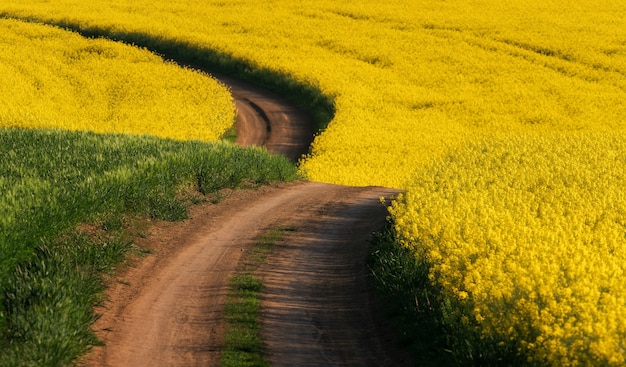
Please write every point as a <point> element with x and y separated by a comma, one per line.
<point>420,320</point>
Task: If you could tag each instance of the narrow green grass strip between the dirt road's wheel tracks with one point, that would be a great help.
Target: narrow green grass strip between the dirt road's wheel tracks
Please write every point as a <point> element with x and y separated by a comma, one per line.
<point>243,345</point>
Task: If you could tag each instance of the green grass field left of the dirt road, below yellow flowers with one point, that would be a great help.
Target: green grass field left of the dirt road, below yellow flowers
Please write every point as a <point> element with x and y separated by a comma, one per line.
<point>51,182</point>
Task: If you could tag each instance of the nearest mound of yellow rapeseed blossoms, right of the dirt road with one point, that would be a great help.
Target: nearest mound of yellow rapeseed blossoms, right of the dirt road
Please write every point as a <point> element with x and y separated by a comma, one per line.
<point>528,235</point>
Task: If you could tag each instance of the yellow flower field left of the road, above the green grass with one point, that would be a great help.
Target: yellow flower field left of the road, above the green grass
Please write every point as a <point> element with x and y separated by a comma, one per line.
<point>53,78</point>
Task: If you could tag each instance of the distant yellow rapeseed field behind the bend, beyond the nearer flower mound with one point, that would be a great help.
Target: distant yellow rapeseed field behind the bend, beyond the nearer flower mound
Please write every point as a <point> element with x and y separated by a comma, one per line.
<point>409,79</point>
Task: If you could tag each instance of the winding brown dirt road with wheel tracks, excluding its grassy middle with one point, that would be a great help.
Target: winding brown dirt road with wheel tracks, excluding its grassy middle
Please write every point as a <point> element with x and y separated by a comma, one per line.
<point>166,309</point>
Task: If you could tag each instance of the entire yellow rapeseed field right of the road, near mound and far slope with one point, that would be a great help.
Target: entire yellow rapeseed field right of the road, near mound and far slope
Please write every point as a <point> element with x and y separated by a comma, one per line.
<point>503,121</point>
